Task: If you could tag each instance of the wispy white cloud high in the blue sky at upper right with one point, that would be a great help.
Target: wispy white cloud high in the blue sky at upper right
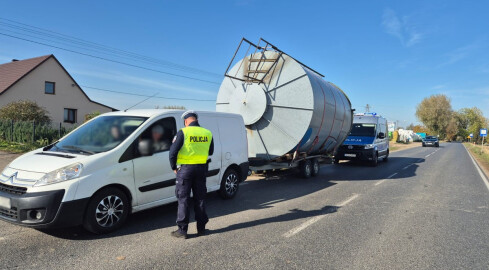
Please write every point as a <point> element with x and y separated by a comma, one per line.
<point>400,28</point>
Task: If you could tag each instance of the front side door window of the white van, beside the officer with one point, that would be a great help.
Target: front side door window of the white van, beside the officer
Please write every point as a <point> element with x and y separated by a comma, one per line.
<point>160,134</point>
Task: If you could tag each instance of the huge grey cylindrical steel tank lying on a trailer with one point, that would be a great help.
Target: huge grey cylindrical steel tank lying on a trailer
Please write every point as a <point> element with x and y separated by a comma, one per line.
<point>286,106</point>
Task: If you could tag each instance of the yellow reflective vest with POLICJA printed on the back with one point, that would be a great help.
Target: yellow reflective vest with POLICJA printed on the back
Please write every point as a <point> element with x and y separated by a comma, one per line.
<point>195,148</point>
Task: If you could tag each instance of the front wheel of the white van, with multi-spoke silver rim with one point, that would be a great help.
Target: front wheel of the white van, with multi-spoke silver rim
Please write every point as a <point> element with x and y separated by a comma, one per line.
<point>106,196</point>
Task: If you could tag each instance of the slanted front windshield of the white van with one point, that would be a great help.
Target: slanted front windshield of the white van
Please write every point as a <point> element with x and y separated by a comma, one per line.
<point>99,135</point>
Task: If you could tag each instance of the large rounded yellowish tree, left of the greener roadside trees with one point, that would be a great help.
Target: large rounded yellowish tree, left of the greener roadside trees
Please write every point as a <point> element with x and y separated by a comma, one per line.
<point>435,113</point>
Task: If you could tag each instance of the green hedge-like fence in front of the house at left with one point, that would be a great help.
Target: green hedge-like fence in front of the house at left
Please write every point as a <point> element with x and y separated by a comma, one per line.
<point>31,132</point>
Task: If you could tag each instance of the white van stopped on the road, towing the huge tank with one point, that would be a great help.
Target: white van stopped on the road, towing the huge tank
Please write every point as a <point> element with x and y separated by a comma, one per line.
<point>96,176</point>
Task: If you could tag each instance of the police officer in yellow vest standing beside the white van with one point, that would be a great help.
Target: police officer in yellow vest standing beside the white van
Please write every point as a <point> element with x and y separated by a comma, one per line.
<point>190,150</point>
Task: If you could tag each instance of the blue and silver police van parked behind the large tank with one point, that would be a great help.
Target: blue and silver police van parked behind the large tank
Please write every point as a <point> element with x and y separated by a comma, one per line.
<point>367,141</point>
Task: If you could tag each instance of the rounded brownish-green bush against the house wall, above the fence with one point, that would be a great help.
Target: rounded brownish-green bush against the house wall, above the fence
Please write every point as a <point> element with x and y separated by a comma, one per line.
<point>25,110</point>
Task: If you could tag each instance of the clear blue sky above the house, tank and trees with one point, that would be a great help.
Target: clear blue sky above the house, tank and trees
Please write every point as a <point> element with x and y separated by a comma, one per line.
<point>389,54</point>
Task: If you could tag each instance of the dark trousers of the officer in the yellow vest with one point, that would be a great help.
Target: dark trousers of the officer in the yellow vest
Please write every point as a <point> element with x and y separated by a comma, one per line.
<point>191,178</point>
